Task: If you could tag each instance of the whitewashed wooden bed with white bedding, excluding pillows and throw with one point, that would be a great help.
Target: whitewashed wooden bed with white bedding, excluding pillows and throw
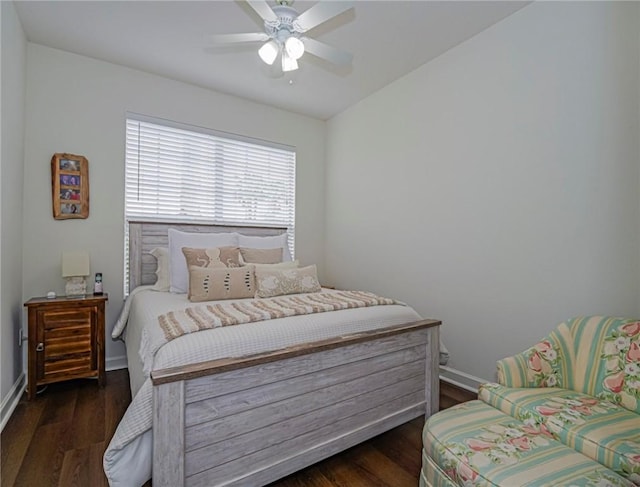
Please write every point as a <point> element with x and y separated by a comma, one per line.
<point>249,404</point>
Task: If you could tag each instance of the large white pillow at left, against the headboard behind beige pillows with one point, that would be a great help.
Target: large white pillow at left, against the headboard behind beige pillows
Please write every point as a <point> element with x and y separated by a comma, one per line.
<point>178,272</point>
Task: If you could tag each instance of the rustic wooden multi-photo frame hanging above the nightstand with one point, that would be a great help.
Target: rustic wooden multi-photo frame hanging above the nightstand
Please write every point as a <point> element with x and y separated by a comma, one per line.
<point>70,186</point>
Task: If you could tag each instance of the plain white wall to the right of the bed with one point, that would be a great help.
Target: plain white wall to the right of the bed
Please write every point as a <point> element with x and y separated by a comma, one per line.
<point>497,187</point>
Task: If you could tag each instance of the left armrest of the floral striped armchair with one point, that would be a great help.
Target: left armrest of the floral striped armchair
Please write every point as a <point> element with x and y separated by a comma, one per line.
<point>538,366</point>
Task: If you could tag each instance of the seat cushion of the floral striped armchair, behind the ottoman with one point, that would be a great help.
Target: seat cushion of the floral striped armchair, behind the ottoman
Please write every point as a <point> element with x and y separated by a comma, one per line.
<point>599,429</point>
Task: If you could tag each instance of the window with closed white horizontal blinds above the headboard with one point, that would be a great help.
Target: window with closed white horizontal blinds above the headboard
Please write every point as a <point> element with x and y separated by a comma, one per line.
<point>176,172</point>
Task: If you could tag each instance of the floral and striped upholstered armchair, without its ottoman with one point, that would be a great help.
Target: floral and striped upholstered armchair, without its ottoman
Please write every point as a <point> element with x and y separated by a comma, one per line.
<point>582,383</point>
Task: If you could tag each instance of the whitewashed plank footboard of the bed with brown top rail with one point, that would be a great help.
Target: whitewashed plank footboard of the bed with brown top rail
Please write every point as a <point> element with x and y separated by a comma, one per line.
<point>252,420</point>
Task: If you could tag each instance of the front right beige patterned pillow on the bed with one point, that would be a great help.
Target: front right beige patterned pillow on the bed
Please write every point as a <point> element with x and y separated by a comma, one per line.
<point>271,283</point>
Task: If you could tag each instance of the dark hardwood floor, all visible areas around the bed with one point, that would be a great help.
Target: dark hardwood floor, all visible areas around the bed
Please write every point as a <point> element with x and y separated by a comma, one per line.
<point>58,439</point>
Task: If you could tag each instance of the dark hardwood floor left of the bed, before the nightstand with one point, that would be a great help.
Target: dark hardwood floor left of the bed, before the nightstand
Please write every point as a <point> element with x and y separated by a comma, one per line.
<point>58,439</point>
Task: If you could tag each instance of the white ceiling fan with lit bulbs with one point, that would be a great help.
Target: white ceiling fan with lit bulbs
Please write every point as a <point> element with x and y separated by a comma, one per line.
<point>284,33</point>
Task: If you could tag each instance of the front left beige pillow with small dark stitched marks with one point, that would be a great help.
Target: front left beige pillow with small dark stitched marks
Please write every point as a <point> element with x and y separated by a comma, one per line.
<point>210,284</point>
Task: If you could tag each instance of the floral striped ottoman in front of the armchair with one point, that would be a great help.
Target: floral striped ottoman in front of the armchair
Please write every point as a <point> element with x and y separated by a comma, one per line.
<point>474,444</point>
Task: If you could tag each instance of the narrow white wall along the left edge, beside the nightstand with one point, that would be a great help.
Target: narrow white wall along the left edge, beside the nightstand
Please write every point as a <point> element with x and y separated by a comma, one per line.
<point>14,46</point>
